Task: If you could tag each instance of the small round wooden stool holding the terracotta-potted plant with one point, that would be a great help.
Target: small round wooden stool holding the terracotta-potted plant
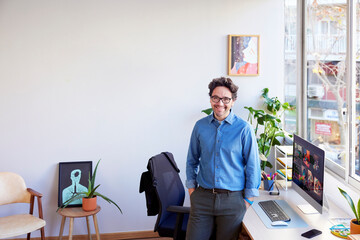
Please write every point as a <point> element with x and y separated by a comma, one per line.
<point>78,212</point>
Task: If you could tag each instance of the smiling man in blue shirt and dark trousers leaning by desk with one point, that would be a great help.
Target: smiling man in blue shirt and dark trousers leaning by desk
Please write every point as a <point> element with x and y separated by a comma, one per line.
<point>222,169</point>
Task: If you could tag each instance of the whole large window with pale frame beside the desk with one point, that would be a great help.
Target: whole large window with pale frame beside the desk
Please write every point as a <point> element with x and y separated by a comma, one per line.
<point>330,109</point>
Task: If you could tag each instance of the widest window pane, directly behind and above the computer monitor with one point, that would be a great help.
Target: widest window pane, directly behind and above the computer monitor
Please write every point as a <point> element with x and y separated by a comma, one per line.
<point>326,89</point>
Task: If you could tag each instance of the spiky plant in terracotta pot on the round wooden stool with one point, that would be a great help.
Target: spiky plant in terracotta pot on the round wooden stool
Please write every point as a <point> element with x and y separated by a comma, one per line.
<point>89,197</point>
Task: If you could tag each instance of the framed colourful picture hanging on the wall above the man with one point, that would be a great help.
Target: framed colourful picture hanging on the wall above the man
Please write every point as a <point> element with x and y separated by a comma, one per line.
<point>244,55</point>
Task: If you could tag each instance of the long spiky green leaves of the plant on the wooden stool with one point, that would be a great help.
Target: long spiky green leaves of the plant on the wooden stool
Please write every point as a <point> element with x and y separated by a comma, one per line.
<point>90,193</point>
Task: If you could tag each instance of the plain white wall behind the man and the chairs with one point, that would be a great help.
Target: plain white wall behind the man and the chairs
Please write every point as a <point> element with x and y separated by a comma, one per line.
<point>119,80</point>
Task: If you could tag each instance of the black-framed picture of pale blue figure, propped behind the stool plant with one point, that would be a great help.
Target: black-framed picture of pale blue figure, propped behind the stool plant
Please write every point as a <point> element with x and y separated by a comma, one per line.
<point>73,177</point>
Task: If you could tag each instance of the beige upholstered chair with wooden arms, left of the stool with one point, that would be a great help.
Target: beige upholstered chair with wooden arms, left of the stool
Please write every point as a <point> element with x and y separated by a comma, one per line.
<point>13,190</point>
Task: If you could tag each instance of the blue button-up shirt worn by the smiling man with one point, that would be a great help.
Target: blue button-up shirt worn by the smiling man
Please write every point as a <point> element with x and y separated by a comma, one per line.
<point>224,155</point>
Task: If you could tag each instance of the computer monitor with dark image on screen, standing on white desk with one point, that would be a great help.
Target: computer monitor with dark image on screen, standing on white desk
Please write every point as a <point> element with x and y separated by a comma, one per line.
<point>308,174</point>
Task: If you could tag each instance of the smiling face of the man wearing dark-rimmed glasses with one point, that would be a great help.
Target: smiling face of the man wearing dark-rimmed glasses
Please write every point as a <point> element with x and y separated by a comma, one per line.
<point>221,110</point>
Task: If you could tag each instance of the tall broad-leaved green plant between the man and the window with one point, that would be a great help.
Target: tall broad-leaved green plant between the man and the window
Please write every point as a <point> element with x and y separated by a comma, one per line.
<point>270,120</point>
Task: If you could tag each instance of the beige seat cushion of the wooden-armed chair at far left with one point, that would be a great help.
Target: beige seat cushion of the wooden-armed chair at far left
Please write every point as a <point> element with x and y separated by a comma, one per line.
<point>16,225</point>
